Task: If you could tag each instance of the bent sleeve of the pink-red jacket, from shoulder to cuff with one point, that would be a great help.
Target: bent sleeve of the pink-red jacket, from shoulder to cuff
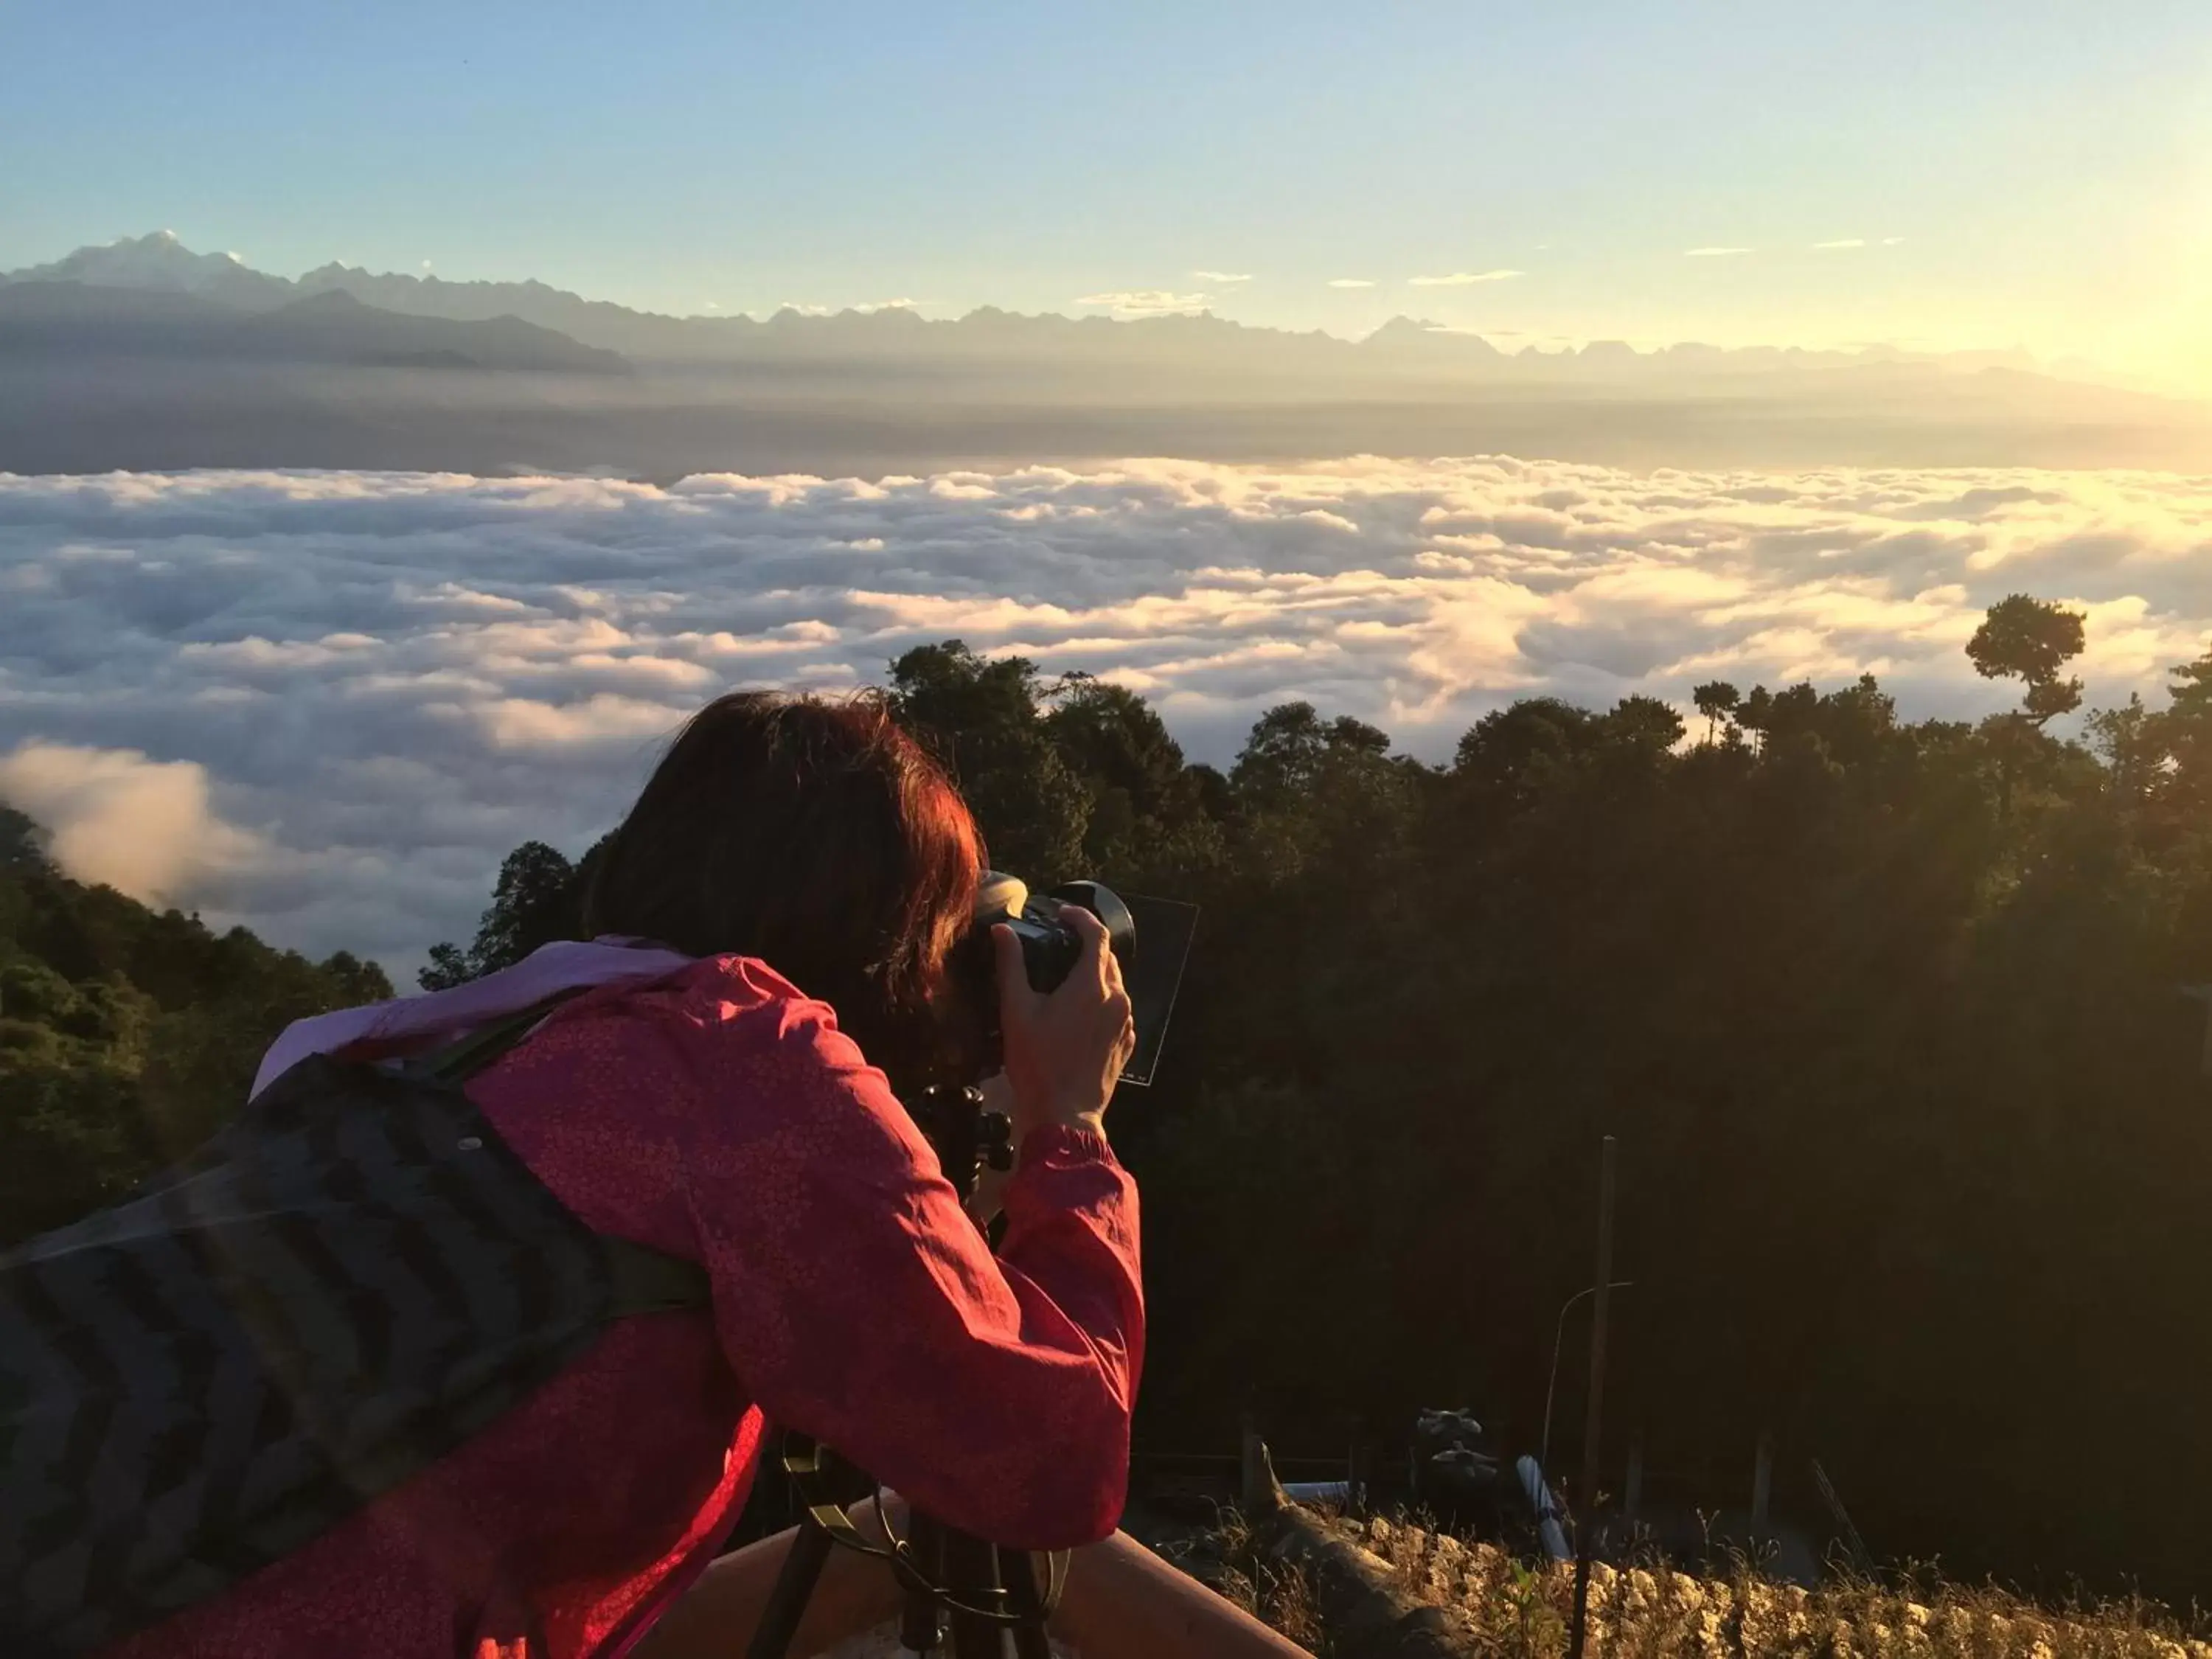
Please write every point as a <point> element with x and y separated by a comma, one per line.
<point>862,1306</point>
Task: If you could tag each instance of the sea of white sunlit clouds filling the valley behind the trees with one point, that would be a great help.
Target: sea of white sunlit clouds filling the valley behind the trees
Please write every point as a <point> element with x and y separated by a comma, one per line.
<point>326,705</point>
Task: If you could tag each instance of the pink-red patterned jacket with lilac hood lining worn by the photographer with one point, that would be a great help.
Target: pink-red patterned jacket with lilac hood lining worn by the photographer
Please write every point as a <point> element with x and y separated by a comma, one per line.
<point>713,1112</point>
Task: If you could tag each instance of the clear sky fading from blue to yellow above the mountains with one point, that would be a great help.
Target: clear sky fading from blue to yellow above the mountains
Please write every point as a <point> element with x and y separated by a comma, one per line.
<point>2036,171</point>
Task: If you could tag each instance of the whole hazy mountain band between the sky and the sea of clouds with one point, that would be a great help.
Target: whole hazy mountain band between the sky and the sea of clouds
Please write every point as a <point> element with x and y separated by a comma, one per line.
<point>145,355</point>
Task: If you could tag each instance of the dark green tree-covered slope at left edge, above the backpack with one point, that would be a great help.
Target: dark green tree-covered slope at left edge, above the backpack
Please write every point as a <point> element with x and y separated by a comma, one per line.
<point>127,1036</point>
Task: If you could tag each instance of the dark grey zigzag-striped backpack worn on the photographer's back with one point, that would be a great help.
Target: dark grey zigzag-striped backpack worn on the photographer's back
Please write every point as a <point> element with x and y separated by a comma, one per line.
<point>337,1291</point>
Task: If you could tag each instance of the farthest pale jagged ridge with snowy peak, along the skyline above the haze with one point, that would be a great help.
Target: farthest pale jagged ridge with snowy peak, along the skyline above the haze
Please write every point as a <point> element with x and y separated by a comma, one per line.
<point>1404,348</point>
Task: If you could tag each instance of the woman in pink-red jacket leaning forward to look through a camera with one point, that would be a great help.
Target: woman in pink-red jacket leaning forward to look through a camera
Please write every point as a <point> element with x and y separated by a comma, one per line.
<point>769,959</point>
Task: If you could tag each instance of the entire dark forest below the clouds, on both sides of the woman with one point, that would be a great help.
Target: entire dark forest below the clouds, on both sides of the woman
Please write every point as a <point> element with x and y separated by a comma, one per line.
<point>1886,1014</point>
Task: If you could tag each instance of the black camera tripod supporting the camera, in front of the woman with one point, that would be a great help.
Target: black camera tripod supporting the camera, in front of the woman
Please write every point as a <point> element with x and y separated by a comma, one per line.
<point>950,1578</point>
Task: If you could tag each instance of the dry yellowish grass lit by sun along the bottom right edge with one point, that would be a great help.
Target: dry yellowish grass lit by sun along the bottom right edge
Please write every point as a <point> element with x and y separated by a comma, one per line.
<point>1662,1614</point>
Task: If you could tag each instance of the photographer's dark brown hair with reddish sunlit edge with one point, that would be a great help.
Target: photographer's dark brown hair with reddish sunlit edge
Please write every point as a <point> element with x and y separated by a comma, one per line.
<point>815,835</point>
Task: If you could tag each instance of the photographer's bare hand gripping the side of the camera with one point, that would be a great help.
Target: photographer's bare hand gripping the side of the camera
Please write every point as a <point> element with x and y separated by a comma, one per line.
<point>1065,1052</point>
